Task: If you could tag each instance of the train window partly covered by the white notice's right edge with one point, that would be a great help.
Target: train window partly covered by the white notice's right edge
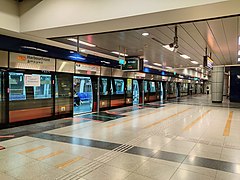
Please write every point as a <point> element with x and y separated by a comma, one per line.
<point>43,91</point>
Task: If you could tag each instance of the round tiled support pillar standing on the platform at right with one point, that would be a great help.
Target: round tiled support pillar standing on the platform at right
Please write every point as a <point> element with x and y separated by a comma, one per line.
<point>217,84</point>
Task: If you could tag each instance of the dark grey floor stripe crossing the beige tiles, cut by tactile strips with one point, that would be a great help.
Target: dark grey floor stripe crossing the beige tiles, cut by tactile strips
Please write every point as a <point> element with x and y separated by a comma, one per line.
<point>163,155</point>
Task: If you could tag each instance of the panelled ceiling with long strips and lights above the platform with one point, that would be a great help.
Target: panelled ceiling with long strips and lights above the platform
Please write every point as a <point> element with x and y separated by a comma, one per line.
<point>220,36</point>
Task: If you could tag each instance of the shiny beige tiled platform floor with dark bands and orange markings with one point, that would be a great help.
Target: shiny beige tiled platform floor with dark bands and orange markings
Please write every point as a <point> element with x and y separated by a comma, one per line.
<point>186,139</point>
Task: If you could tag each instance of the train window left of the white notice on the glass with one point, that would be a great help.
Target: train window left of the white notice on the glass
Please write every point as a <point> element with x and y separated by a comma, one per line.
<point>16,87</point>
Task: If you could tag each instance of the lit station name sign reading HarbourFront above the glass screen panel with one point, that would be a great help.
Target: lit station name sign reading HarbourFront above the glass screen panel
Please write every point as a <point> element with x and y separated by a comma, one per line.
<point>25,61</point>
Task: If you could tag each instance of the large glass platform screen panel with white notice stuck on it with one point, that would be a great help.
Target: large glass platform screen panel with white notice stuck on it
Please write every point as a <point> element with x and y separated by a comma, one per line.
<point>30,96</point>
